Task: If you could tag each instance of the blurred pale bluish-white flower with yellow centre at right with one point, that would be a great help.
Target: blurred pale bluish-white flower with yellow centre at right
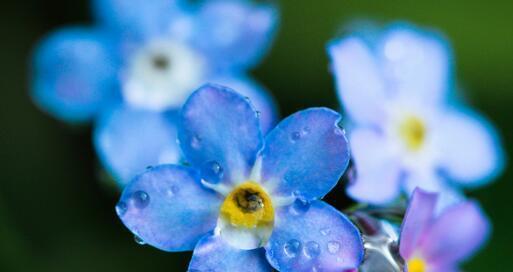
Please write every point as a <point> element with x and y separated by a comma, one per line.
<point>405,132</point>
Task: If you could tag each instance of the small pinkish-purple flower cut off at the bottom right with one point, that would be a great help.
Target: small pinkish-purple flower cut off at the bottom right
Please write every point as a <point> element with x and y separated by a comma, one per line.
<point>433,243</point>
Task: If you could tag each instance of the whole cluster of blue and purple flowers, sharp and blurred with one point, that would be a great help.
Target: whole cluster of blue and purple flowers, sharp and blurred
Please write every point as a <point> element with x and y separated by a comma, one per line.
<point>195,146</point>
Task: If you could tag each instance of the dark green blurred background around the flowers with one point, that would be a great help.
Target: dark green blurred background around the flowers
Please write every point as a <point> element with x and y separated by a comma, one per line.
<point>55,215</point>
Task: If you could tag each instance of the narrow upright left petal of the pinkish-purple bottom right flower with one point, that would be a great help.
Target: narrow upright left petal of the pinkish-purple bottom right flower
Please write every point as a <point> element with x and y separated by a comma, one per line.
<point>417,219</point>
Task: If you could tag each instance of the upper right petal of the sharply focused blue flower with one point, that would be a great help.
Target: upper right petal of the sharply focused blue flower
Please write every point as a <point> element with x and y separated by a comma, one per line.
<point>305,154</point>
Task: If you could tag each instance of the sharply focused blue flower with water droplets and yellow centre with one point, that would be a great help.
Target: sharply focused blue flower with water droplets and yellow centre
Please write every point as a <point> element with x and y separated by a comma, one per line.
<point>244,198</point>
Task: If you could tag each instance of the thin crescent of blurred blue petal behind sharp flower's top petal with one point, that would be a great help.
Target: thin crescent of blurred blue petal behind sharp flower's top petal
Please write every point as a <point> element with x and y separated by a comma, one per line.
<point>261,99</point>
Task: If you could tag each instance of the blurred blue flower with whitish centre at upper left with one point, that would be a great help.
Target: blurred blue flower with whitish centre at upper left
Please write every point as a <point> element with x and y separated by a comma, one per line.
<point>137,66</point>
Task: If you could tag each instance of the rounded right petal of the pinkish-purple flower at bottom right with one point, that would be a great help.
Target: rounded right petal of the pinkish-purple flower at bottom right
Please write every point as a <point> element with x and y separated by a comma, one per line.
<point>455,235</point>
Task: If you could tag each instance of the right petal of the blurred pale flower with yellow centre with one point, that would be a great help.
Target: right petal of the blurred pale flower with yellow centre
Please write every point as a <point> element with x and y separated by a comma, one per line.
<point>471,150</point>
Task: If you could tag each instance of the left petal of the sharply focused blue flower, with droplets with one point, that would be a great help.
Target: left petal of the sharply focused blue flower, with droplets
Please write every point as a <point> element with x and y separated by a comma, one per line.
<point>168,208</point>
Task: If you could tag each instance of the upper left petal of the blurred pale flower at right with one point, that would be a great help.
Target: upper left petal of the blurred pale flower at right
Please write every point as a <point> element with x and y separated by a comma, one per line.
<point>360,85</point>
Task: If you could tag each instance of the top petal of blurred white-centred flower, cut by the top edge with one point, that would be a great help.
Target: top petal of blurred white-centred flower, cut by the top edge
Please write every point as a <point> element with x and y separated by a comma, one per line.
<point>137,18</point>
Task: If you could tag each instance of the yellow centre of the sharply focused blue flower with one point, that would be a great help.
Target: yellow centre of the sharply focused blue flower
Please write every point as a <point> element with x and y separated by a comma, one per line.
<point>248,206</point>
